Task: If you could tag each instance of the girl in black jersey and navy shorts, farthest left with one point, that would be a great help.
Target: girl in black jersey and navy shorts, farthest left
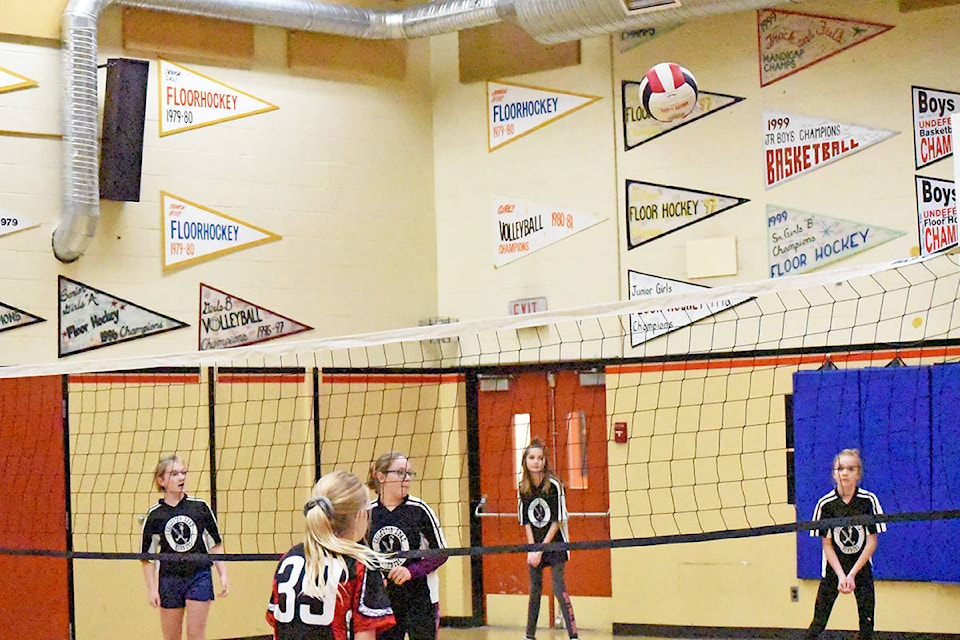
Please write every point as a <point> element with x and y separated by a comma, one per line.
<point>183,525</point>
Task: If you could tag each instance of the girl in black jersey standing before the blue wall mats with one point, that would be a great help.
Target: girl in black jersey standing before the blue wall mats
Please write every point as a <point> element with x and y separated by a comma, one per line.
<point>848,548</point>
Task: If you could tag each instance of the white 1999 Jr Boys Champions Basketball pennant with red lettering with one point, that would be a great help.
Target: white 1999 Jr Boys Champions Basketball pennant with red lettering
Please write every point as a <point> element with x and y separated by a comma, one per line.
<point>794,145</point>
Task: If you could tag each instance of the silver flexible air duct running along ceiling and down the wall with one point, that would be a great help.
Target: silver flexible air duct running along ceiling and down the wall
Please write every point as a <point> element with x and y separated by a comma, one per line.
<point>548,21</point>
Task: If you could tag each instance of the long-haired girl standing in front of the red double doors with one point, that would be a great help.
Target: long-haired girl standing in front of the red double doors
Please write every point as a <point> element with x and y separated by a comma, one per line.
<point>543,515</point>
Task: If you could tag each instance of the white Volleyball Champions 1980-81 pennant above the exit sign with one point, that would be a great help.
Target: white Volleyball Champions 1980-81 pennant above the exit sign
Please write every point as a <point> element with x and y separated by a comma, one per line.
<point>520,228</point>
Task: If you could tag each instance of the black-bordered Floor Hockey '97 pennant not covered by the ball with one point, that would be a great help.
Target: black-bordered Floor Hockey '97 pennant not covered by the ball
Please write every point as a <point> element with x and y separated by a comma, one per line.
<point>654,210</point>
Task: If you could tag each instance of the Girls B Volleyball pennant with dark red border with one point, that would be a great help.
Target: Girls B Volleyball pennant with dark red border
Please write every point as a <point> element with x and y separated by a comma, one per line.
<point>228,321</point>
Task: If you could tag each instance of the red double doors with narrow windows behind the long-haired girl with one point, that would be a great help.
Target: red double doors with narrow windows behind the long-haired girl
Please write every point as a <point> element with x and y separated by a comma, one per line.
<point>567,411</point>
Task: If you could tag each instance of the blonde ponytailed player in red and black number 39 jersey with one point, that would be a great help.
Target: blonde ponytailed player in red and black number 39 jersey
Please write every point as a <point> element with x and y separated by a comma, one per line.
<point>321,588</point>
